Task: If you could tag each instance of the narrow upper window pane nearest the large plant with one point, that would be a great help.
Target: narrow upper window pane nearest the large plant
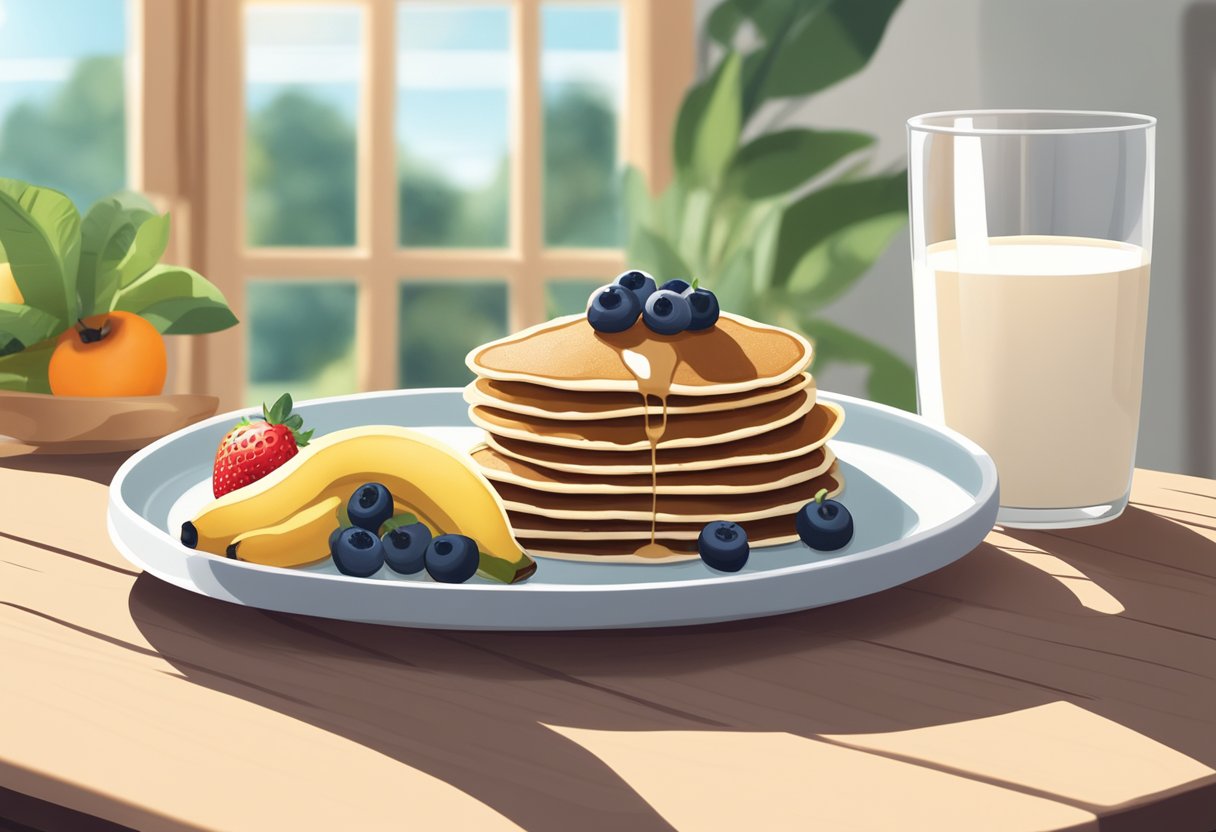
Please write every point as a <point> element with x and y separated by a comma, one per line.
<point>582,72</point>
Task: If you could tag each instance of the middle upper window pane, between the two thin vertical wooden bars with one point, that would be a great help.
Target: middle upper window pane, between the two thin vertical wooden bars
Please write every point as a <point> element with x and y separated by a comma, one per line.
<point>454,88</point>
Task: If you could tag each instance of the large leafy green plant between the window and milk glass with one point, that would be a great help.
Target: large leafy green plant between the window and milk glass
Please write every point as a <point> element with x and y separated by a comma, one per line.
<point>779,223</point>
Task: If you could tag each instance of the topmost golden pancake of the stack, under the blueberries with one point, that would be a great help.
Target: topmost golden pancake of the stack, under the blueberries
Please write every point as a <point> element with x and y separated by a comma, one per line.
<point>733,357</point>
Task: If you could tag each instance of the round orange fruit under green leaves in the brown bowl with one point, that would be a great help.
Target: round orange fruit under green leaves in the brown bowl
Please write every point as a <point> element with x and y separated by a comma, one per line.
<point>116,353</point>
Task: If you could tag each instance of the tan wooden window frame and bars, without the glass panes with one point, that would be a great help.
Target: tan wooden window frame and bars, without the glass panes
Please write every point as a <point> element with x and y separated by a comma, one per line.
<point>190,153</point>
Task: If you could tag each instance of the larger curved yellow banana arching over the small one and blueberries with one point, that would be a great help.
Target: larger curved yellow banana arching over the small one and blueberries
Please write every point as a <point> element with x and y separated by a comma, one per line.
<point>443,487</point>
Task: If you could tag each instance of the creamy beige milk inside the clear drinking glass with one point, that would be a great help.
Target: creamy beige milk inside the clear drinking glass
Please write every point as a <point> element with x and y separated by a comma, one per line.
<point>1034,347</point>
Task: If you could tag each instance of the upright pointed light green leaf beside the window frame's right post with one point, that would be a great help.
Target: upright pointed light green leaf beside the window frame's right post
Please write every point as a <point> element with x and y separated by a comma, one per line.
<point>710,123</point>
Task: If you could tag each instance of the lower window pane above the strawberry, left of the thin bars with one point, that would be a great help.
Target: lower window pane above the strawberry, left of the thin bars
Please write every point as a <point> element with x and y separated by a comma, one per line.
<point>302,340</point>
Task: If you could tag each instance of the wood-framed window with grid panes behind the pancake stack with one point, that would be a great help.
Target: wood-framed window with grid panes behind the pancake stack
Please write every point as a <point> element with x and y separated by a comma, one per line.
<point>381,185</point>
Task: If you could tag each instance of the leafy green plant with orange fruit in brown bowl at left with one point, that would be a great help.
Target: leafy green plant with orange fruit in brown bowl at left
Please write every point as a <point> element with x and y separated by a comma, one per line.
<point>85,306</point>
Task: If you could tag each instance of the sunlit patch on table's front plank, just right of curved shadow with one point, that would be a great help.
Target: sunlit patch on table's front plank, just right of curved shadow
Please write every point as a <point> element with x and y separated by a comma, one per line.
<point>722,780</point>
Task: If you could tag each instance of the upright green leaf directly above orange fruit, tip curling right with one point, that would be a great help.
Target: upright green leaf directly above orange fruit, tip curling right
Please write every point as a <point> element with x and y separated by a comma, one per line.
<point>106,237</point>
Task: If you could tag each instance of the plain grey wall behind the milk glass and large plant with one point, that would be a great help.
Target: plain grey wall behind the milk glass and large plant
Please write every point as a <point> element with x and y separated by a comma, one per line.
<point>1124,55</point>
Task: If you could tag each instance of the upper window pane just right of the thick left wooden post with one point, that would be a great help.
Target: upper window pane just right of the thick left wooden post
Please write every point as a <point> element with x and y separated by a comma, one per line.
<point>303,71</point>
